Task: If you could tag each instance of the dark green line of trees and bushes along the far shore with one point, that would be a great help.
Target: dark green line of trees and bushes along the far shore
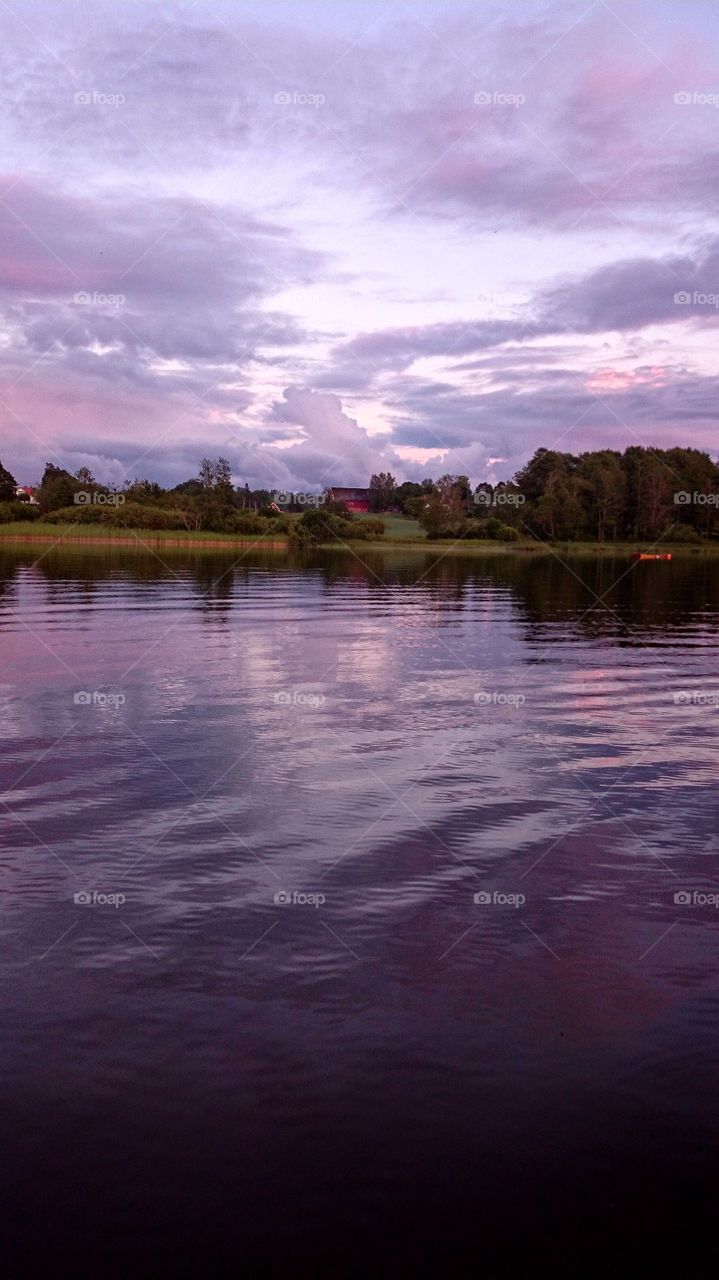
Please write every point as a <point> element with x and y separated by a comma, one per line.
<point>601,496</point>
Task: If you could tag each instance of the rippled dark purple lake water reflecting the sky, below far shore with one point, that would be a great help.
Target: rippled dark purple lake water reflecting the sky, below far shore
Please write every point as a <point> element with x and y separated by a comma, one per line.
<point>393,1072</point>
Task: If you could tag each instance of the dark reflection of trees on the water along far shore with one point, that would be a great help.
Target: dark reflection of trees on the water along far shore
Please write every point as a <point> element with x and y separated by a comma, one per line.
<point>544,587</point>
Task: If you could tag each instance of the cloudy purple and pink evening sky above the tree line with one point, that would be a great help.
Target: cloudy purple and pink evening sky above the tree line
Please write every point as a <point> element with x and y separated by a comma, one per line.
<point>331,239</point>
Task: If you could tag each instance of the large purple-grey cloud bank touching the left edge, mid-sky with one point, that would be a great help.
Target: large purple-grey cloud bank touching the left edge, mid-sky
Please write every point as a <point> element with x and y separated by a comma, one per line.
<point>178,277</point>
